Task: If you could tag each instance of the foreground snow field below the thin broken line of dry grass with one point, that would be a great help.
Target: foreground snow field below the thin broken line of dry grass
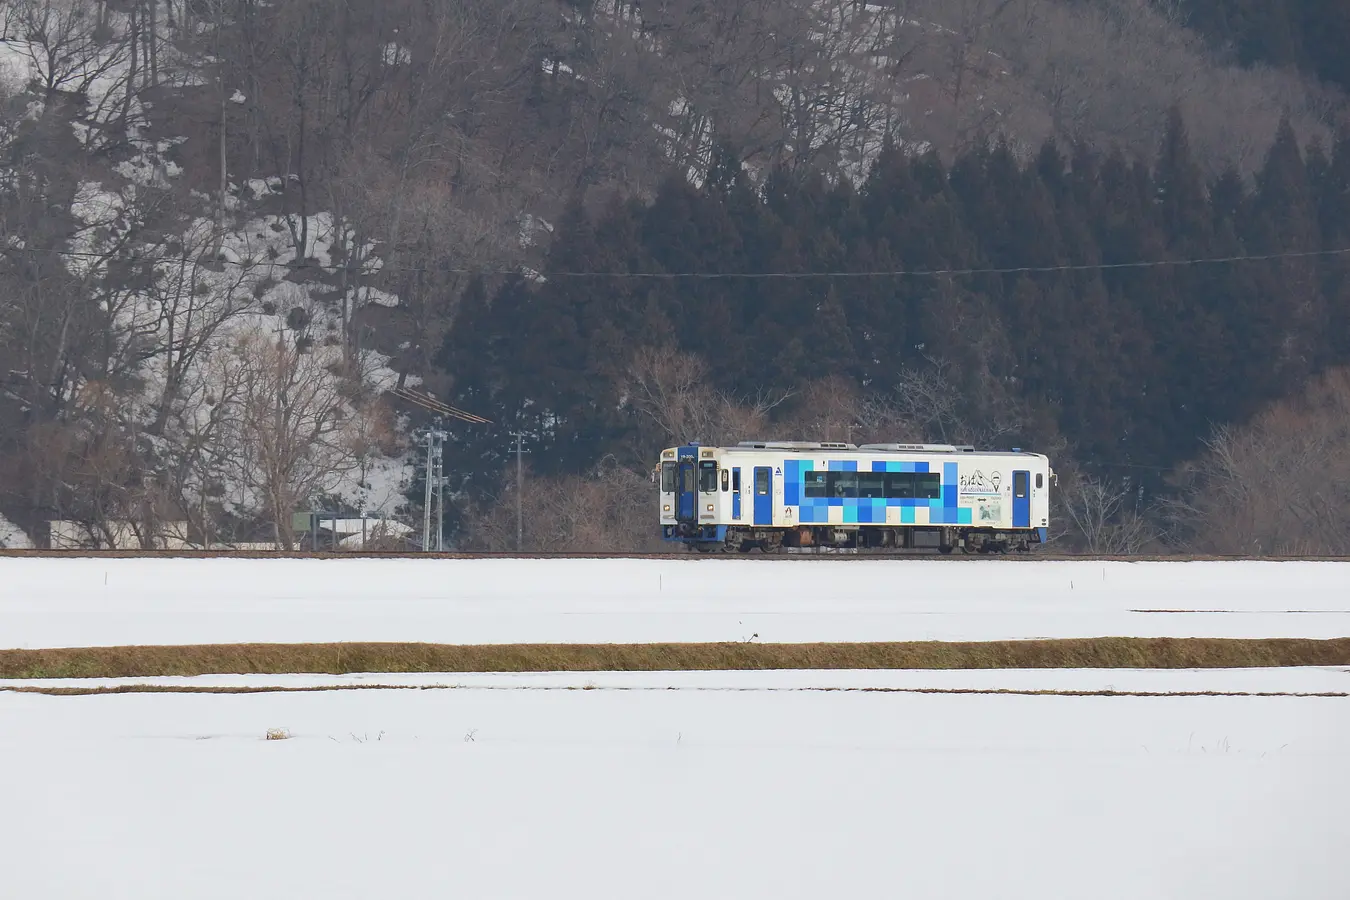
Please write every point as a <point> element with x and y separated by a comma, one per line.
<point>673,794</point>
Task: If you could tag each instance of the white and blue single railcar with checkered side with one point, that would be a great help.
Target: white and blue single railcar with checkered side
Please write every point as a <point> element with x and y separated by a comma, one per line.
<point>776,495</point>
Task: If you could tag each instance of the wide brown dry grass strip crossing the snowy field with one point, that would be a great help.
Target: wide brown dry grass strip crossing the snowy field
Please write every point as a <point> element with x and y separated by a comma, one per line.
<point>342,659</point>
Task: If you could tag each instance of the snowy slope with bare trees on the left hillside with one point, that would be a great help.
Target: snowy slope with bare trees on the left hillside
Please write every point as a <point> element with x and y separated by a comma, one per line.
<point>215,312</point>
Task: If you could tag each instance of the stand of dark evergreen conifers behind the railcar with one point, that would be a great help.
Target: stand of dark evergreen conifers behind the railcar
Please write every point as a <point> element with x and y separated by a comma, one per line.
<point>1113,311</point>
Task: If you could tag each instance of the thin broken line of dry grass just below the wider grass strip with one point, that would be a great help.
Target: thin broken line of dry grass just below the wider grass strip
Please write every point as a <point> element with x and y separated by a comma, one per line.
<point>313,689</point>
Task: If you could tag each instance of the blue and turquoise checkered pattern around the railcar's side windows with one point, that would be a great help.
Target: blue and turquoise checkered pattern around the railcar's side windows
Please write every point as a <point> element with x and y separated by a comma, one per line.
<point>870,511</point>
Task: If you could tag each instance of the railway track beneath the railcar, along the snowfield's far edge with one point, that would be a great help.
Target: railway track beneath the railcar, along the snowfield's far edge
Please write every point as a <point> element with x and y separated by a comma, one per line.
<point>790,555</point>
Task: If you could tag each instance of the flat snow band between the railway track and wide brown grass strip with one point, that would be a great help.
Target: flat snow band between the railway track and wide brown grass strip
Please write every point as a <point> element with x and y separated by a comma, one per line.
<point>102,602</point>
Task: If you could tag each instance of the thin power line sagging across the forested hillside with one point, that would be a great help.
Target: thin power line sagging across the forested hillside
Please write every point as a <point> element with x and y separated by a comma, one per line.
<point>705,276</point>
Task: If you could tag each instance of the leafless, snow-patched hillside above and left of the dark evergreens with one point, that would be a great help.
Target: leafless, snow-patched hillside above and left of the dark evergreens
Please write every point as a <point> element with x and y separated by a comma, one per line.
<point>202,183</point>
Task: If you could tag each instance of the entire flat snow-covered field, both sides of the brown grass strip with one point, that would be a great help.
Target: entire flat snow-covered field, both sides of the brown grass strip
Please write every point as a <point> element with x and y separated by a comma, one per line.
<point>674,785</point>
